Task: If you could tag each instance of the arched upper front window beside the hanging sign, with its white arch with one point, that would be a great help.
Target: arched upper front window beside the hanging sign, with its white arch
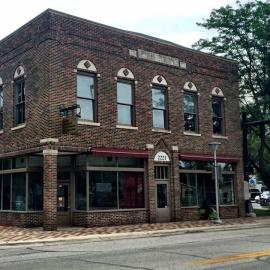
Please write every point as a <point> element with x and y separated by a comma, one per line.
<point>86,90</point>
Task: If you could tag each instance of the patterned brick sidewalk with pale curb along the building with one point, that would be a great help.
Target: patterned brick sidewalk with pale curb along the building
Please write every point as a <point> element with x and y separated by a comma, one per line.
<point>15,235</point>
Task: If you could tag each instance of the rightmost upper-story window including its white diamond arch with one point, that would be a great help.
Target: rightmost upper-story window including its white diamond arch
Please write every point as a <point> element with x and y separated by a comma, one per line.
<point>218,111</point>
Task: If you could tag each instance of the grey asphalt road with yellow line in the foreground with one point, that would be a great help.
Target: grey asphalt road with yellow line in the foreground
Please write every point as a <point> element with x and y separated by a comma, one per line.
<point>235,249</point>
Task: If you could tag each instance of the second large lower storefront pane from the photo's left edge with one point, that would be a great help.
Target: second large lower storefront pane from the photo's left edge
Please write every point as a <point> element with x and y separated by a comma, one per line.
<point>18,192</point>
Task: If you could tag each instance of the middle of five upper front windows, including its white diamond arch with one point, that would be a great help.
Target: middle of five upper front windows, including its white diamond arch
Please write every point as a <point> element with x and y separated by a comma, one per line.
<point>159,103</point>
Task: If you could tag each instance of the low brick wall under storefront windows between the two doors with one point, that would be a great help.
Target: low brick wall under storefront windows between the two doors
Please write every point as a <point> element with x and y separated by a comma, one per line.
<point>91,219</point>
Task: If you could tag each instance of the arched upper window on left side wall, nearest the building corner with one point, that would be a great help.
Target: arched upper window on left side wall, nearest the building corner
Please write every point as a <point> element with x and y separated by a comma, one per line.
<point>19,96</point>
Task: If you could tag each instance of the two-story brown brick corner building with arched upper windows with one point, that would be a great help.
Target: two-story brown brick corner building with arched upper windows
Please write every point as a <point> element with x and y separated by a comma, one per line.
<point>135,149</point>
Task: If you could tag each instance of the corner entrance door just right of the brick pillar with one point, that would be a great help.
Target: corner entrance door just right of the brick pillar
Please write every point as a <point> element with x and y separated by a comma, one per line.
<point>63,204</point>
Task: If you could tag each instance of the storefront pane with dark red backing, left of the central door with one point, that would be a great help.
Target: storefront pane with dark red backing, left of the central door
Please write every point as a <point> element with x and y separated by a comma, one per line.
<point>131,190</point>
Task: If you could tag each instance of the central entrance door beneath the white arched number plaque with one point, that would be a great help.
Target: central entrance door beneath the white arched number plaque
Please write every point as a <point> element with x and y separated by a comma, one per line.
<point>162,195</point>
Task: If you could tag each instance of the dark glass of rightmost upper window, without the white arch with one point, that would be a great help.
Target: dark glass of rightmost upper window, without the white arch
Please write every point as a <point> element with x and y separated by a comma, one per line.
<point>218,122</point>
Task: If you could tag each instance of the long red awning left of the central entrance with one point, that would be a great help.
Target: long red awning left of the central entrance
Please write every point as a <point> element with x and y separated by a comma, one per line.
<point>119,152</point>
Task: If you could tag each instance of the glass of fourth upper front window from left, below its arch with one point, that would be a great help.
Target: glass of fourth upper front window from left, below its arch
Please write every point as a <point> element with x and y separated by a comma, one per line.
<point>190,112</point>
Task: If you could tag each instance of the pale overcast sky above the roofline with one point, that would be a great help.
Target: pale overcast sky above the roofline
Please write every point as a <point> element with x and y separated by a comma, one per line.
<point>173,20</point>
